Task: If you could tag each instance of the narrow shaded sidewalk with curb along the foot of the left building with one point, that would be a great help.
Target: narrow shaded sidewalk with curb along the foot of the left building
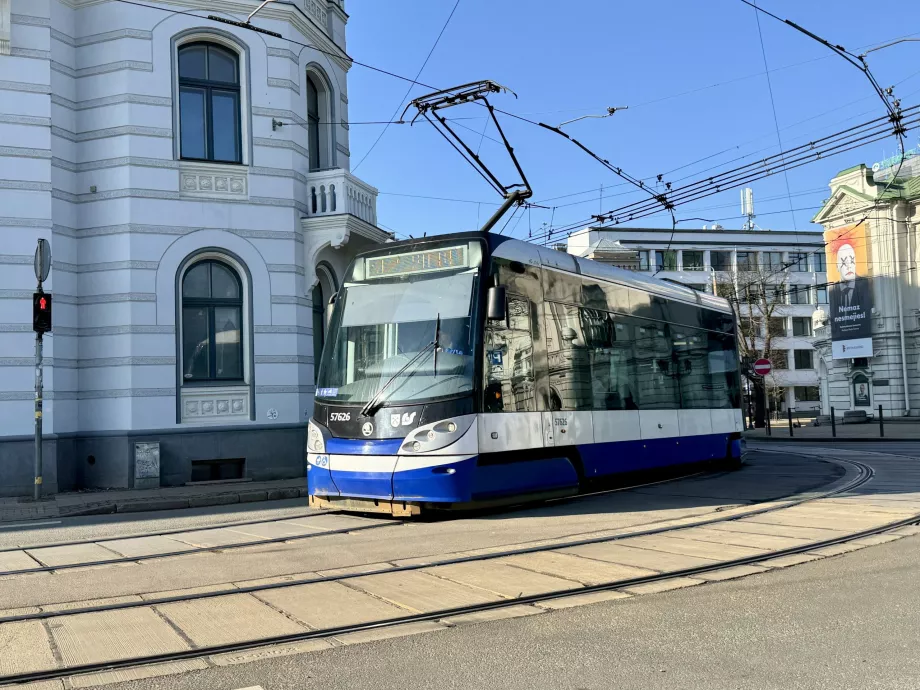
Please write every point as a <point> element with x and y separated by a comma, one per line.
<point>72,504</point>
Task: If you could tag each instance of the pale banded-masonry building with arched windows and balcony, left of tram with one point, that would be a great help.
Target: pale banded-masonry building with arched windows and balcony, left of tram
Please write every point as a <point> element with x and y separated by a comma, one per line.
<point>192,178</point>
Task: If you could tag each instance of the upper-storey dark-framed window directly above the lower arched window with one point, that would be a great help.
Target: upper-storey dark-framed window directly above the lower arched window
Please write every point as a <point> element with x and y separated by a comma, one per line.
<point>209,103</point>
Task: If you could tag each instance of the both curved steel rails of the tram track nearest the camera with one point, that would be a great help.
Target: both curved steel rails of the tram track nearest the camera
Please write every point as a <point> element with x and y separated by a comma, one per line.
<point>864,474</point>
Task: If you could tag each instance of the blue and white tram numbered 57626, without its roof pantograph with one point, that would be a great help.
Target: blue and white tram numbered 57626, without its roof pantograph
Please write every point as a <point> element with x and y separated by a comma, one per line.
<point>471,369</point>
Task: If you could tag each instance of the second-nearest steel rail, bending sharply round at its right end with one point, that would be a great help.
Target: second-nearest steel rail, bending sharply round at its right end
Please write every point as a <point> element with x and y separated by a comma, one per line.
<point>865,474</point>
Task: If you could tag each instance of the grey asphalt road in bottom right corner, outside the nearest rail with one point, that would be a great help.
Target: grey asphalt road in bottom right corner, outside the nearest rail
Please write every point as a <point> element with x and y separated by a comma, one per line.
<point>844,622</point>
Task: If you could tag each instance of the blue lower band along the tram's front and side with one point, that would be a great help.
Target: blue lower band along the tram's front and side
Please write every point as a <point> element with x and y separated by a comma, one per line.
<point>479,478</point>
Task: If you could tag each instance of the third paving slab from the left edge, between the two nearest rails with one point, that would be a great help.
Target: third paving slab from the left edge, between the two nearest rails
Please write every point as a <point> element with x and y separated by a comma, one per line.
<point>233,618</point>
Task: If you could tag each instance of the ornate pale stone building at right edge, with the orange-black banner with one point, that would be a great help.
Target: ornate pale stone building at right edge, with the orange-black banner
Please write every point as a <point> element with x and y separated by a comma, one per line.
<point>885,217</point>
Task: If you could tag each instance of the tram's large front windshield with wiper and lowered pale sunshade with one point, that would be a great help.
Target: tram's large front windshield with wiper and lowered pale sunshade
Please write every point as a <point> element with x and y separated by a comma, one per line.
<point>383,334</point>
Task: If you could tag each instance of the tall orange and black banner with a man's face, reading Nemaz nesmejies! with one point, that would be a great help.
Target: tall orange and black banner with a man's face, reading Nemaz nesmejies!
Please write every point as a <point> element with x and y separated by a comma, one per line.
<point>849,292</point>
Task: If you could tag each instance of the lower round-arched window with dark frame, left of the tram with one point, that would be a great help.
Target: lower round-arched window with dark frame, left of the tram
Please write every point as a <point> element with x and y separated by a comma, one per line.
<point>212,323</point>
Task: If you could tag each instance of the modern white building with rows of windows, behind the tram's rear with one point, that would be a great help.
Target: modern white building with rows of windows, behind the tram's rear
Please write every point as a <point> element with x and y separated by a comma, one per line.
<point>781,273</point>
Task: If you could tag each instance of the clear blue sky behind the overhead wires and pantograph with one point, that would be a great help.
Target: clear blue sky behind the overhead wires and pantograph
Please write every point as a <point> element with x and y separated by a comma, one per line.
<point>692,74</point>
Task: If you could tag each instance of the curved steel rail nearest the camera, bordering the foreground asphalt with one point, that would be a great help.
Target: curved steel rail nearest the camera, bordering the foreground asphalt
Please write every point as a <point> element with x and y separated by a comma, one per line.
<point>306,635</point>
